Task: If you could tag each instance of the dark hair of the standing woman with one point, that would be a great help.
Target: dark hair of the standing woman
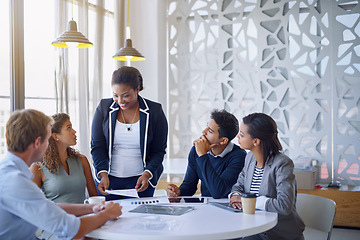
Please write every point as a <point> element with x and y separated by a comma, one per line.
<point>129,76</point>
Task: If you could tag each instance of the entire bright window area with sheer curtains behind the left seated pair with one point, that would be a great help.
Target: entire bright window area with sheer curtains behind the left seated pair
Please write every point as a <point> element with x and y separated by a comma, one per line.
<point>41,59</point>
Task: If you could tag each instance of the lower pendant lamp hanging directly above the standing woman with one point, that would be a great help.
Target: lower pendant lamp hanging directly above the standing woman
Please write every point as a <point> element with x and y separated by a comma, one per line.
<point>128,53</point>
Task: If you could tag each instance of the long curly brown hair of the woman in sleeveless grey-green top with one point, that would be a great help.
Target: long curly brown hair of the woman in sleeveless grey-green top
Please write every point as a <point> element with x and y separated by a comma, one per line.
<point>51,158</point>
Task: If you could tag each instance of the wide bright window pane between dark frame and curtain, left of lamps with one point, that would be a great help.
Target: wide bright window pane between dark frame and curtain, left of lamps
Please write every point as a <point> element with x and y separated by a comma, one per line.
<point>39,56</point>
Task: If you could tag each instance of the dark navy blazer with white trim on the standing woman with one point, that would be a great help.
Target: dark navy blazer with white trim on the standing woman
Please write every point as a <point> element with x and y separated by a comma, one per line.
<point>153,136</point>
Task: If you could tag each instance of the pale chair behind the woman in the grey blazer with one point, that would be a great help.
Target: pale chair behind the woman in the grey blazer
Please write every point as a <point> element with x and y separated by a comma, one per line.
<point>318,214</point>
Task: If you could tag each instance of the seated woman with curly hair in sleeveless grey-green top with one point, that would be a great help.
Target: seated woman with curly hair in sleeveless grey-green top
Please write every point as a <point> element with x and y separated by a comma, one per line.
<point>64,173</point>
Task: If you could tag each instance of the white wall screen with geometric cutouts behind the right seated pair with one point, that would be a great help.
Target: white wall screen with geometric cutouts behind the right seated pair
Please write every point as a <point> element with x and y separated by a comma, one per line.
<point>298,61</point>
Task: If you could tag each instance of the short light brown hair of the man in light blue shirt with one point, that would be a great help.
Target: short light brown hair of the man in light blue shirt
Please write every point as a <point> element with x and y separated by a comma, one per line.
<point>23,127</point>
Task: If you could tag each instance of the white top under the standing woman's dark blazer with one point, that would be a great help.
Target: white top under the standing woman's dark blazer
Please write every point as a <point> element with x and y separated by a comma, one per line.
<point>126,160</point>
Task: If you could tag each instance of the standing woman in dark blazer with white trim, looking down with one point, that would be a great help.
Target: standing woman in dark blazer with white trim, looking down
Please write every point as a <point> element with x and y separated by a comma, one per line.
<point>129,137</point>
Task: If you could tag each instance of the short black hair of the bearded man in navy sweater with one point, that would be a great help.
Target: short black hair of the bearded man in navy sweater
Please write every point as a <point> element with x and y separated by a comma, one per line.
<point>227,122</point>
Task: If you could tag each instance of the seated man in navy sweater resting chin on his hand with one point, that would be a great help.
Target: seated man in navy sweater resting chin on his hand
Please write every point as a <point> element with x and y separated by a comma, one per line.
<point>213,159</point>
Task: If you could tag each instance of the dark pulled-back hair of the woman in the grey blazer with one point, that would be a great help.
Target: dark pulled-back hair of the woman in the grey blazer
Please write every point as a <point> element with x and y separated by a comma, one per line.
<point>263,127</point>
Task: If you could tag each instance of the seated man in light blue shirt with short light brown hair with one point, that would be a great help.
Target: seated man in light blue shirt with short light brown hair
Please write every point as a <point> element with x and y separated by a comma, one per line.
<point>23,206</point>
